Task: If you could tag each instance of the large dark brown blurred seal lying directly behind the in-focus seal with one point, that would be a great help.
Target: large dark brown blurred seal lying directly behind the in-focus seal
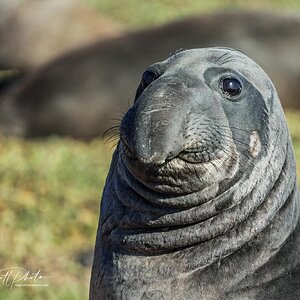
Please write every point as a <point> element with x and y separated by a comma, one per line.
<point>79,93</point>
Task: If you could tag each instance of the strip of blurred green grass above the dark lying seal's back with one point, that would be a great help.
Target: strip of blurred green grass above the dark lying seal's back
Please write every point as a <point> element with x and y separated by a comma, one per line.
<point>135,13</point>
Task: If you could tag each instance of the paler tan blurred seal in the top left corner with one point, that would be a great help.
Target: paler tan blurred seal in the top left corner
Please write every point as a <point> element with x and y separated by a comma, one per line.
<point>33,32</point>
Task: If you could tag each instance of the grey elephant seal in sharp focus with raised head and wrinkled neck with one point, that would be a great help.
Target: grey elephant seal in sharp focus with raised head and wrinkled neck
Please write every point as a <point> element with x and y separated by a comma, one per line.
<point>201,200</point>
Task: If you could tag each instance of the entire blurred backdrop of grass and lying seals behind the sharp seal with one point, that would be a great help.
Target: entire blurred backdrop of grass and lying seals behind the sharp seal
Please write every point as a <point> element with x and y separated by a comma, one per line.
<point>68,72</point>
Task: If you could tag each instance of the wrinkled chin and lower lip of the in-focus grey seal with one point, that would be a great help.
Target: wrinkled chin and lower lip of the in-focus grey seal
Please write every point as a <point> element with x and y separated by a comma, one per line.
<point>188,172</point>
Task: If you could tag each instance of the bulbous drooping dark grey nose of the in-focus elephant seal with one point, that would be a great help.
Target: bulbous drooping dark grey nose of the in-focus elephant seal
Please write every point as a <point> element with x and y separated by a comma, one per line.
<point>153,128</point>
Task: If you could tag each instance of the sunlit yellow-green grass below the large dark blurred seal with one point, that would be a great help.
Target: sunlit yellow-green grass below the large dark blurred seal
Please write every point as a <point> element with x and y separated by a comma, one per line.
<point>49,204</point>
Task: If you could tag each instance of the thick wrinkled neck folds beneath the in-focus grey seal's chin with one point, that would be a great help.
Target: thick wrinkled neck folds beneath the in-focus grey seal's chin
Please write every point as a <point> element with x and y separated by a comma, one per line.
<point>150,224</point>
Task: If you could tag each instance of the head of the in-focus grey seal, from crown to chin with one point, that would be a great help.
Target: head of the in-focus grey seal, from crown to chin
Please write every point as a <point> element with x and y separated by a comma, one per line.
<point>202,112</point>
